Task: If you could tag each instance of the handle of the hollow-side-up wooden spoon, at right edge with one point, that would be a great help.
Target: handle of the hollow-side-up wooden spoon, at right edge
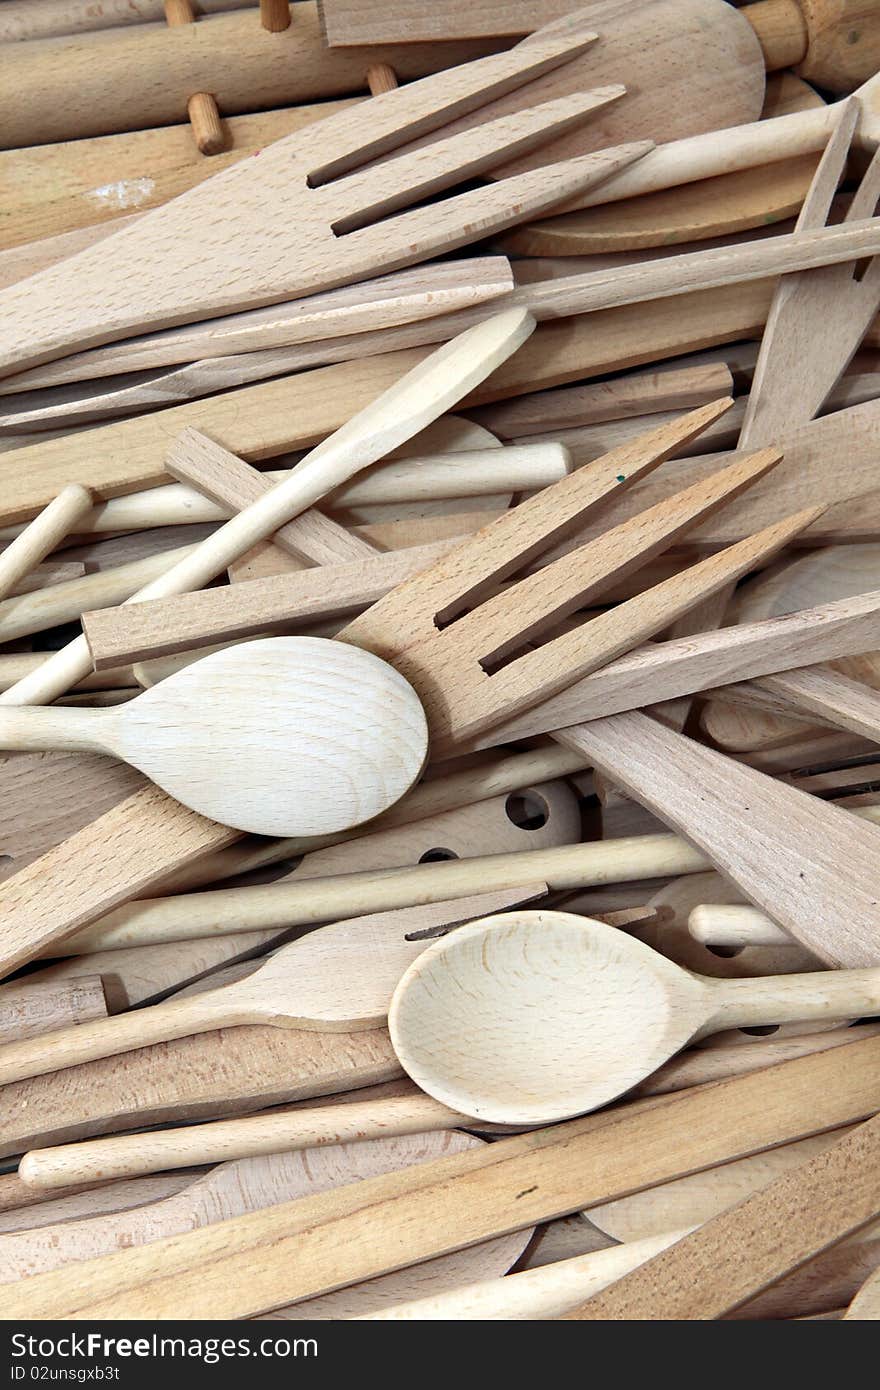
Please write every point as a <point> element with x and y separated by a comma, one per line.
<point>795,999</point>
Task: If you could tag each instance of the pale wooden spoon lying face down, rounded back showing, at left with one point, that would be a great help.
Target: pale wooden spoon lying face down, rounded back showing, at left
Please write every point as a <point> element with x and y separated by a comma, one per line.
<point>277,737</point>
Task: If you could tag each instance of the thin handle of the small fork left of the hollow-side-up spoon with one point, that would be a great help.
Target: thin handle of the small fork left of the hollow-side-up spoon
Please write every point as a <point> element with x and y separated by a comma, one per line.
<point>106,1038</point>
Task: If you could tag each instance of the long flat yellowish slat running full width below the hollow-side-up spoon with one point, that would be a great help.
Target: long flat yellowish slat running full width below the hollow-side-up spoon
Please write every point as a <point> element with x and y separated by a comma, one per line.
<point>327,1242</point>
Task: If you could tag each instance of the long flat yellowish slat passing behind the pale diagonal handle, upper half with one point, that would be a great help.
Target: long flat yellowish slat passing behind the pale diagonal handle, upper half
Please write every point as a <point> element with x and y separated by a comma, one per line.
<point>277,416</point>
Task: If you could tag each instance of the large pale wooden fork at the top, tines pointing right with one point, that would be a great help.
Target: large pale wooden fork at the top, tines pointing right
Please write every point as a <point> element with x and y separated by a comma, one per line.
<point>311,216</point>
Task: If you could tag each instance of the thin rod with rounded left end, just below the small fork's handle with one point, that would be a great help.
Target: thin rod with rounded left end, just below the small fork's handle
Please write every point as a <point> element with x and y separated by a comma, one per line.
<point>222,1140</point>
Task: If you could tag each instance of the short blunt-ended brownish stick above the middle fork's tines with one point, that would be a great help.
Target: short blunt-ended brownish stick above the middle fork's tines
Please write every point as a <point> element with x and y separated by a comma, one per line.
<point>636,394</point>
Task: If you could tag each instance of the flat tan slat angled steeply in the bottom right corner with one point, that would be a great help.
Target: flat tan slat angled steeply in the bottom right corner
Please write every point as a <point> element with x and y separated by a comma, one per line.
<point>771,1234</point>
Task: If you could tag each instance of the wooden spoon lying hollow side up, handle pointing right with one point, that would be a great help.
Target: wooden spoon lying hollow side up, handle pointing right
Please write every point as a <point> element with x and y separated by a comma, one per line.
<point>543,1015</point>
